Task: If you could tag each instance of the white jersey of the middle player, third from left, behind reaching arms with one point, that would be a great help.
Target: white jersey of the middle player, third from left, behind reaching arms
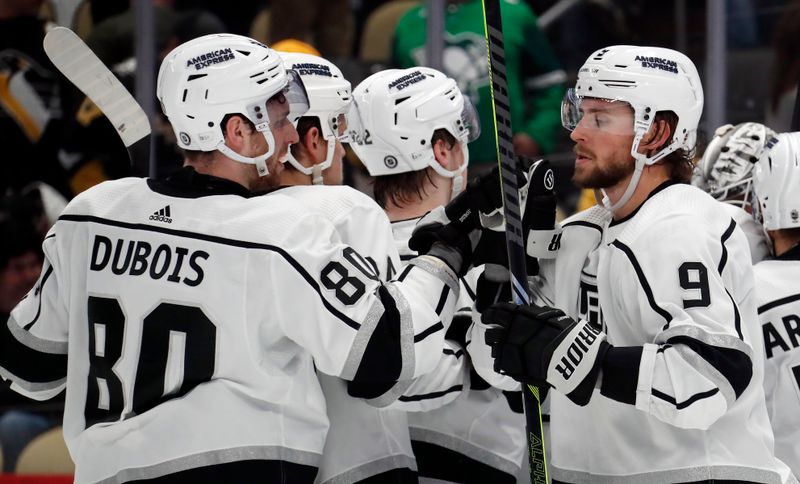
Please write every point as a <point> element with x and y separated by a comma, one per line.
<point>479,424</point>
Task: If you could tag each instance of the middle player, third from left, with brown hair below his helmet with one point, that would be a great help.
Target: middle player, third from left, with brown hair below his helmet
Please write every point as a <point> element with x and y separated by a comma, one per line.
<point>413,140</point>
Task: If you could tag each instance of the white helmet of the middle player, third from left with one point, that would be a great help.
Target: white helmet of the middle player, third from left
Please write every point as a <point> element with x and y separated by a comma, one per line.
<point>399,110</point>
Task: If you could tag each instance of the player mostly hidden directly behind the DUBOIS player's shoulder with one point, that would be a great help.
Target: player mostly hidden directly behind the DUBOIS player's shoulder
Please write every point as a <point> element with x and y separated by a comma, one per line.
<point>364,444</point>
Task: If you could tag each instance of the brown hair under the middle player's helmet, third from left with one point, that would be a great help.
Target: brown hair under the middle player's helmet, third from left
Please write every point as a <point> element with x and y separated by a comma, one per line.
<point>406,188</point>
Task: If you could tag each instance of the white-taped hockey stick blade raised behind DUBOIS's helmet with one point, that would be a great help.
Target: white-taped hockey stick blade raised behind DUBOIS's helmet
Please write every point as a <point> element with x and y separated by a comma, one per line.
<point>81,66</point>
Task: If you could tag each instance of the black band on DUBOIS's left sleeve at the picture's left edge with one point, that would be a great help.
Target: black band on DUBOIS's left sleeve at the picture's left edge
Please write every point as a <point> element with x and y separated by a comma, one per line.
<point>29,364</point>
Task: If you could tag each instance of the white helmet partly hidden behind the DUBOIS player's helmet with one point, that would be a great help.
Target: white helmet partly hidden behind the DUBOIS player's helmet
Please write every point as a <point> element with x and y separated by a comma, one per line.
<point>329,101</point>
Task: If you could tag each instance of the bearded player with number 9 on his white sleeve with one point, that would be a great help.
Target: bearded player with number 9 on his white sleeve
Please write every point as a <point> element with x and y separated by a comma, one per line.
<point>665,385</point>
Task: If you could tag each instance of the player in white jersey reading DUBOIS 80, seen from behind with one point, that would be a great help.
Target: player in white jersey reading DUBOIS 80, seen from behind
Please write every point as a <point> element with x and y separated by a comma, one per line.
<point>186,317</point>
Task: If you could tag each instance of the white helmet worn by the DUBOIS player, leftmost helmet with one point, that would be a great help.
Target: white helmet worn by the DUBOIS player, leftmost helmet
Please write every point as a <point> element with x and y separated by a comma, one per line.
<point>207,78</point>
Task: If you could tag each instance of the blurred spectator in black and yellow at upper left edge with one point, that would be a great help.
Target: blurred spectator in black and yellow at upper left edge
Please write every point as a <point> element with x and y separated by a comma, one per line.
<point>30,100</point>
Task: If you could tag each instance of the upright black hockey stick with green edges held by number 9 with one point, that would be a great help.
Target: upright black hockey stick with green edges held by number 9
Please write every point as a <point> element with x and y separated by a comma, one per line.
<point>515,245</point>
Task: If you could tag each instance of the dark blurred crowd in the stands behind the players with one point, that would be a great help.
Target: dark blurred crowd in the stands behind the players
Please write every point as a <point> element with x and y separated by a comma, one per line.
<point>57,143</point>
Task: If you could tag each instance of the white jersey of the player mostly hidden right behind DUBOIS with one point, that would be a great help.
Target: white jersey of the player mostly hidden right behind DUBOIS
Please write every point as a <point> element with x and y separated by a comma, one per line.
<point>362,441</point>
